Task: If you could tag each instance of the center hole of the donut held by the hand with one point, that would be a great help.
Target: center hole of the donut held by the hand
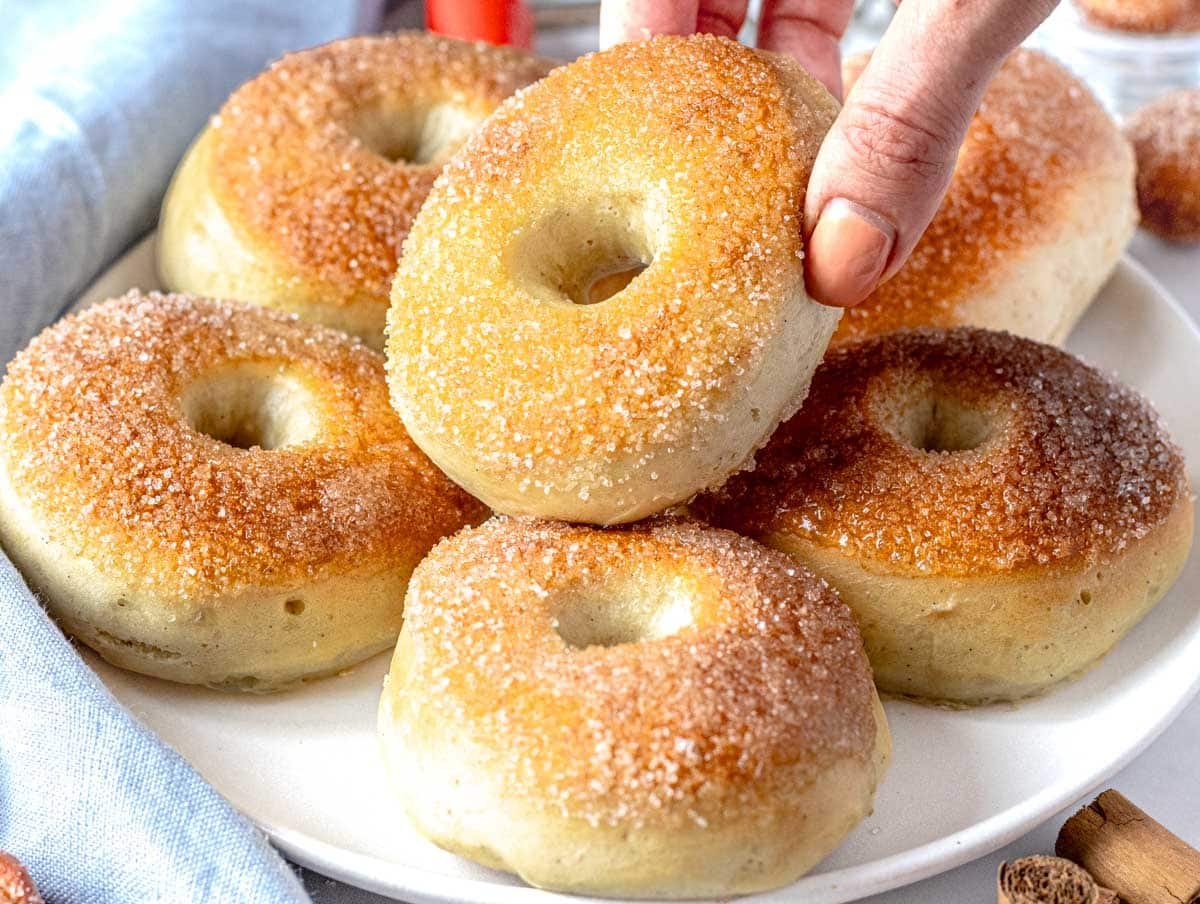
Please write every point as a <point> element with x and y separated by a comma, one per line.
<point>586,255</point>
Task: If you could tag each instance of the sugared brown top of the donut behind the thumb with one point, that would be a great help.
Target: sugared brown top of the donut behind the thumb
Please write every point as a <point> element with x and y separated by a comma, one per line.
<point>1036,135</point>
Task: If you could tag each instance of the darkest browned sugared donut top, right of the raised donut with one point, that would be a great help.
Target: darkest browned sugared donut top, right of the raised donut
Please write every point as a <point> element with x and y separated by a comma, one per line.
<point>1072,465</point>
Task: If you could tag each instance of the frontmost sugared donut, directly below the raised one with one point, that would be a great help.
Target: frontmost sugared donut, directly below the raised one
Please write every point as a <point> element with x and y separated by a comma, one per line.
<point>452,775</point>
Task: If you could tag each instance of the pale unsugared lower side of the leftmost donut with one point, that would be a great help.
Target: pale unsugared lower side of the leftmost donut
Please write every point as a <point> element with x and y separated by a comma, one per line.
<point>260,640</point>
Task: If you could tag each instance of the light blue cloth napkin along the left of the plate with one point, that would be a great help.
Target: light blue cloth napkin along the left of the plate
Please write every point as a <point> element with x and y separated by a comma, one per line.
<point>99,100</point>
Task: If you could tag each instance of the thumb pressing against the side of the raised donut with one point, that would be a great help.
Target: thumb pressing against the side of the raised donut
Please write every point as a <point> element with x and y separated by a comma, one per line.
<point>887,163</point>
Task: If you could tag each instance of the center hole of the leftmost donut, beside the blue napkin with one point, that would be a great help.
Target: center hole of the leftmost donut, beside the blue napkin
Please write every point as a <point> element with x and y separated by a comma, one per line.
<point>250,408</point>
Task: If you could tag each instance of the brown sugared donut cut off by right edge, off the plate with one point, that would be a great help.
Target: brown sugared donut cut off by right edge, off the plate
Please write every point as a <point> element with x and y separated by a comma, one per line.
<point>1166,136</point>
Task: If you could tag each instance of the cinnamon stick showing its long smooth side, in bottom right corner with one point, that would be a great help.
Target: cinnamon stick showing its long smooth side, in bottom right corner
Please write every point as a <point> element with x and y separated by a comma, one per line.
<point>1132,854</point>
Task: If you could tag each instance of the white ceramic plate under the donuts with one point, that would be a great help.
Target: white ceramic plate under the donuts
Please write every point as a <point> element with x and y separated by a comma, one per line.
<point>962,785</point>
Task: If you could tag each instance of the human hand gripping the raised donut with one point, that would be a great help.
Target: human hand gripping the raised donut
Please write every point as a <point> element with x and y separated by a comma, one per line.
<point>889,160</point>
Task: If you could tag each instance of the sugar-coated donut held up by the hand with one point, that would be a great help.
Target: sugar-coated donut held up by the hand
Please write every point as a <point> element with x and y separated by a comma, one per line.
<point>682,160</point>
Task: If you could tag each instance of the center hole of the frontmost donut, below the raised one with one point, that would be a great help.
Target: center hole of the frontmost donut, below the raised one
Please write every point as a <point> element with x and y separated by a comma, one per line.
<point>609,616</point>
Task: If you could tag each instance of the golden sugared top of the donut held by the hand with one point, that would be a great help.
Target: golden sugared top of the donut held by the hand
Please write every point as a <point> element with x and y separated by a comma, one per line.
<point>716,142</point>
